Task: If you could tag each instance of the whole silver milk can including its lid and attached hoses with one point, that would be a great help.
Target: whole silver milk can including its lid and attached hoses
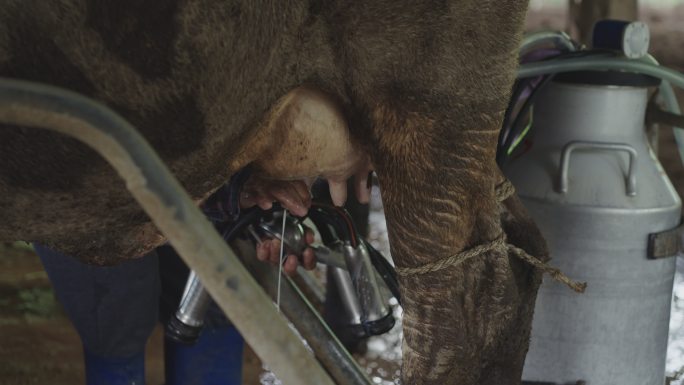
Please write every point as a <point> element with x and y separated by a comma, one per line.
<point>575,147</point>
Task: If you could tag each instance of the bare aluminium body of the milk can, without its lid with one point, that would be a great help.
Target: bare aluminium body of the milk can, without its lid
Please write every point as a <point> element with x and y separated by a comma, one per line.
<point>597,191</point>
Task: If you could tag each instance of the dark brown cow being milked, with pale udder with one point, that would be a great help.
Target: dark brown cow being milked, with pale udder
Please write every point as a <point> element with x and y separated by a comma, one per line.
<point>415,90</point>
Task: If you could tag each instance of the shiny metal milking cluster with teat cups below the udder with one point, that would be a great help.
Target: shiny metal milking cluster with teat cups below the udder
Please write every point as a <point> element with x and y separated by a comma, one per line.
<point>365,280</point>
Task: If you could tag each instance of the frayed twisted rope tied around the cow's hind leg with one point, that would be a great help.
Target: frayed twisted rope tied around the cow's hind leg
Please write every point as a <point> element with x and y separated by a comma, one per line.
<point>503,191</point>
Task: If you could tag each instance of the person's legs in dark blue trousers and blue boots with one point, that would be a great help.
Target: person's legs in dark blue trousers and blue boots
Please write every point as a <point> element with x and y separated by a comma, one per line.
<point>114,310</point>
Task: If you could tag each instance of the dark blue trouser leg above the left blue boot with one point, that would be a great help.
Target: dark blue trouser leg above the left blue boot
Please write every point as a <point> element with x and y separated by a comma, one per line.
<point>113,308</point>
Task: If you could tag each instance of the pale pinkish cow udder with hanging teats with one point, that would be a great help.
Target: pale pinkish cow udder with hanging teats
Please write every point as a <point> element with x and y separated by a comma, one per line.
<point>309,137</point>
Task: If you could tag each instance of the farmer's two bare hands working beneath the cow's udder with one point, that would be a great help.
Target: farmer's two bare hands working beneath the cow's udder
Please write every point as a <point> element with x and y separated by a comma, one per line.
<point>296,198</point>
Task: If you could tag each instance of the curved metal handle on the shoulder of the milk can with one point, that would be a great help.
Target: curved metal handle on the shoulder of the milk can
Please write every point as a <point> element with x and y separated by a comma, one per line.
<point>582,145</point>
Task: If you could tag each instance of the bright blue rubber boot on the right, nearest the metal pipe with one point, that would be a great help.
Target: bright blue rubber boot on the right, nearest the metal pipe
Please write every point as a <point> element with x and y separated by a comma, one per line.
<point>216,359</point>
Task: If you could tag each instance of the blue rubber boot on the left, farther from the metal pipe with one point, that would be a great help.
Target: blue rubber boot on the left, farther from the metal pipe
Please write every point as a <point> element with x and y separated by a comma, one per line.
<point>115,371</point>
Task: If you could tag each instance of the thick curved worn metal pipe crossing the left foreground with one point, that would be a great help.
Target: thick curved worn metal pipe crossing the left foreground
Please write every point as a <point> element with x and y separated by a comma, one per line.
<point>173,212</point>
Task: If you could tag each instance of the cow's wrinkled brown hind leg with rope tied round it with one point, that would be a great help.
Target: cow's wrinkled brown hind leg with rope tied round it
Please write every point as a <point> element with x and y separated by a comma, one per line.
<point>465,322</point>
